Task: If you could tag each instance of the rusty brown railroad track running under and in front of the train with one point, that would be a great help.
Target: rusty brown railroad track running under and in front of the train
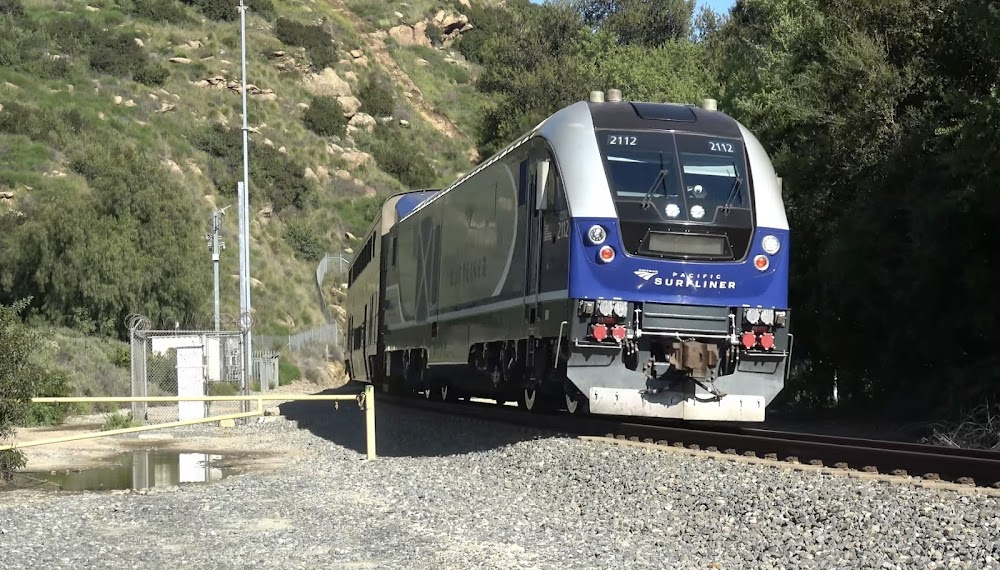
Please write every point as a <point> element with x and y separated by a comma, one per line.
<point>927,462</point>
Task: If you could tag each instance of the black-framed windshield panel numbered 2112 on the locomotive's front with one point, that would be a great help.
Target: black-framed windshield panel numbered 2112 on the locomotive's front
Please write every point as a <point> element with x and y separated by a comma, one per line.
<point>679,195</point>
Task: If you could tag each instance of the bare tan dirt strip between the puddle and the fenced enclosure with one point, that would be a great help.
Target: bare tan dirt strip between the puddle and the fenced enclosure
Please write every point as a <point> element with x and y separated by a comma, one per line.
<point>94,452</point>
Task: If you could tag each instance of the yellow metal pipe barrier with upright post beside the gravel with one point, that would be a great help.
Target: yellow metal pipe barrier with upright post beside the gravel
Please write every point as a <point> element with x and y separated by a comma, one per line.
<point>368,402</point>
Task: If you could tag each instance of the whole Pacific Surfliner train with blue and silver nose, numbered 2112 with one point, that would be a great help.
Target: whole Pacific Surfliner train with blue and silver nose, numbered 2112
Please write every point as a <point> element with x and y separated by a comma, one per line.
<point>622,258</point>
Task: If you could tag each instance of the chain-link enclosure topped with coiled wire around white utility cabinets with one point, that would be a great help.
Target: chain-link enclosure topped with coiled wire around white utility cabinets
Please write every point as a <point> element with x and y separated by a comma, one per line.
<point>186,363</point>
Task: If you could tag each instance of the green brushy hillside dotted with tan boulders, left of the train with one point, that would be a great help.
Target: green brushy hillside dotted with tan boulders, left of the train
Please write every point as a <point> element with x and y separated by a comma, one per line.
<point>119,136</point>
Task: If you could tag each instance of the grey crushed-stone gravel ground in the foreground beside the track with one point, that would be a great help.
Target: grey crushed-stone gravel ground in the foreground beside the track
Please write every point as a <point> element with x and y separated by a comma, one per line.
<point>496,498</point>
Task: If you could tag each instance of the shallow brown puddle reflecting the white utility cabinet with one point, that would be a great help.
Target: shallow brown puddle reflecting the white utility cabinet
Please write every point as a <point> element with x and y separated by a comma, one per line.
<point>141,470</point>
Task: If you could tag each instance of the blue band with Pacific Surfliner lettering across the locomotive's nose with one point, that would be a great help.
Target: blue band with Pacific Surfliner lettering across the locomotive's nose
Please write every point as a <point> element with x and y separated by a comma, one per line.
<point>630,278</point>
